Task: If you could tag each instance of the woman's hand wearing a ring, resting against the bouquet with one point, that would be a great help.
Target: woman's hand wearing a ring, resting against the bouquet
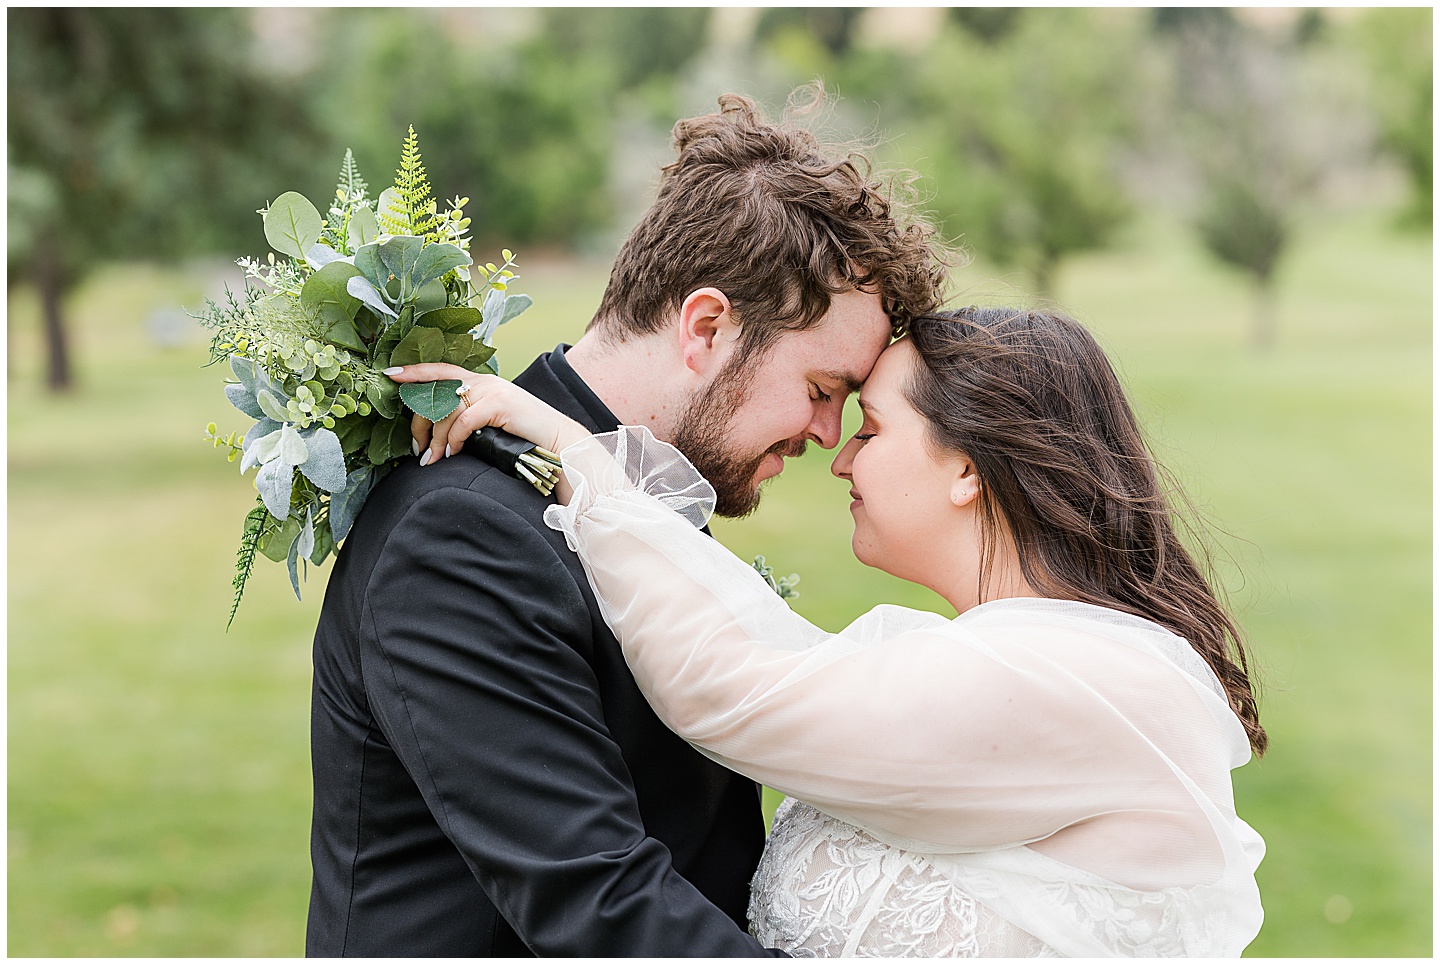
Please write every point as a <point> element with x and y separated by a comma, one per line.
<point>492,401</point>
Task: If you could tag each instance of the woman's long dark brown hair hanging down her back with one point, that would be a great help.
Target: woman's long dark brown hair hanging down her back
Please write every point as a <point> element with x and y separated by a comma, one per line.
<point>1035,404</point>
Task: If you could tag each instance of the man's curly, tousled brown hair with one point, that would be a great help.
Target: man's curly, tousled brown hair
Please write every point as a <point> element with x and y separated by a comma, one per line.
<point>780,224</point>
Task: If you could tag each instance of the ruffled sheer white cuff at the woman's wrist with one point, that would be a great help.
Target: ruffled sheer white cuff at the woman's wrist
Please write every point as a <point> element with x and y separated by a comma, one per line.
<point>630,460</point>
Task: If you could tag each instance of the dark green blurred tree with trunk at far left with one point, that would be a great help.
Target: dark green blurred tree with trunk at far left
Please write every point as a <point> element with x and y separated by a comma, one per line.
<point>136,133</point>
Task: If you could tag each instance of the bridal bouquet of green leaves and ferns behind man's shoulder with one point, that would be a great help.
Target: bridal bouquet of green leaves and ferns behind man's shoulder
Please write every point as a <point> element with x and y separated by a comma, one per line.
<point>377,283</point>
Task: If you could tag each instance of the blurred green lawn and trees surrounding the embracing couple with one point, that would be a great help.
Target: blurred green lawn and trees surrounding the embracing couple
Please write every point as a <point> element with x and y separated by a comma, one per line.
<point>1236,202</point>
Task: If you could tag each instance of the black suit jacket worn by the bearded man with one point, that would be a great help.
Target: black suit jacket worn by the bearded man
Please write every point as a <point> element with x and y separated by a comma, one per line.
<point>489,780</point>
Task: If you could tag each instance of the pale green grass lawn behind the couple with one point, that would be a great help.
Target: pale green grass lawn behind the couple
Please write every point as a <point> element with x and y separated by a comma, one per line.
<point>159,767</point>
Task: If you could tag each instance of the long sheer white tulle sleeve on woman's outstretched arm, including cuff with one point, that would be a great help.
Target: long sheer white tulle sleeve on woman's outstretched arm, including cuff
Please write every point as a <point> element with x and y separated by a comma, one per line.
<point>928,734</point>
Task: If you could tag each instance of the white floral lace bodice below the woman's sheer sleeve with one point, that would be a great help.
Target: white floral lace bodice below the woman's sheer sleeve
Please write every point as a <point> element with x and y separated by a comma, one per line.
<point>826,889</point>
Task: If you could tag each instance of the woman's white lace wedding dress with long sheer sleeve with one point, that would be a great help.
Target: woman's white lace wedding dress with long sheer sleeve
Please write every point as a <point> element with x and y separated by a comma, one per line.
<point>1032,778</point>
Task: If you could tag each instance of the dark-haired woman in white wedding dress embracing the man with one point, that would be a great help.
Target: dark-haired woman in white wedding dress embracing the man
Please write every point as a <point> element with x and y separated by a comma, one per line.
<point>1049,773</point>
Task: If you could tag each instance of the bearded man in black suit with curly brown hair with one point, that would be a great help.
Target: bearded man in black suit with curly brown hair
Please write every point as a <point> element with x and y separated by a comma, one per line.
<point>489,780</point>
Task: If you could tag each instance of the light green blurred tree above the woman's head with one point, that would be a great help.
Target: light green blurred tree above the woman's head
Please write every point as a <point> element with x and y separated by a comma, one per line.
<point>1020,133</point>
